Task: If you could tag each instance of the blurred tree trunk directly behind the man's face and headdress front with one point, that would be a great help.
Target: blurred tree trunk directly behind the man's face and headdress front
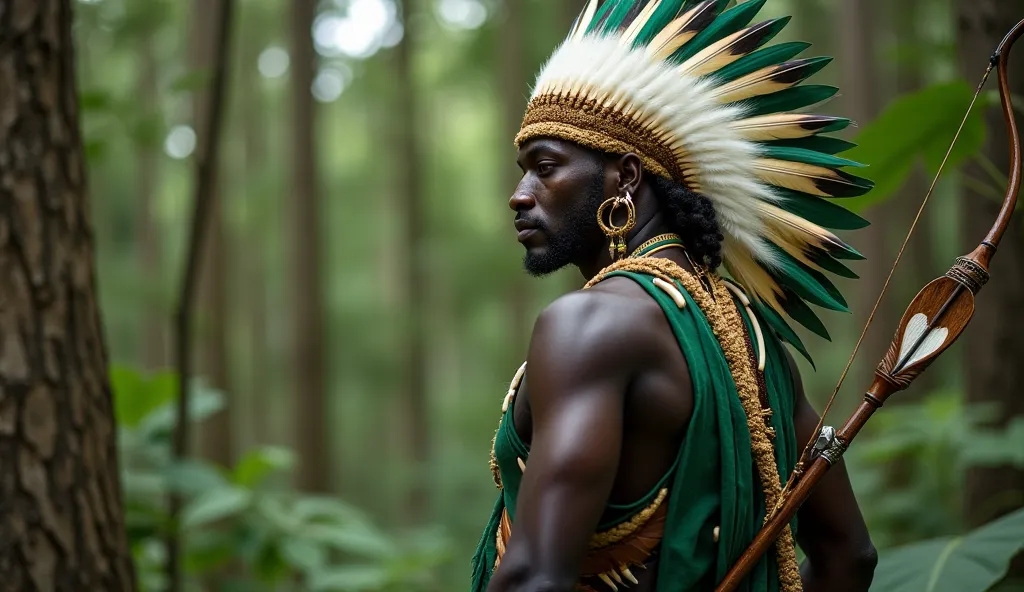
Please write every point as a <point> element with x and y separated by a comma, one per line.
<point>515,88</point>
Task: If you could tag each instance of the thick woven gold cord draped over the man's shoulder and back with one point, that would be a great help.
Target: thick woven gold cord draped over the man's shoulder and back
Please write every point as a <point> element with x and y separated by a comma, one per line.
<point>728,326</point>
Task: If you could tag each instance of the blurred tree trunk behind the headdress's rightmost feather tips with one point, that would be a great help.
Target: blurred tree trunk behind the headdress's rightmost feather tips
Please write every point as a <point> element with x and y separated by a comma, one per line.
<point>864,99</point>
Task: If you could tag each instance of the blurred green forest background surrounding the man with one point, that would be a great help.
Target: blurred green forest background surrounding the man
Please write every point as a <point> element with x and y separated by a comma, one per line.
<point>362,305</point>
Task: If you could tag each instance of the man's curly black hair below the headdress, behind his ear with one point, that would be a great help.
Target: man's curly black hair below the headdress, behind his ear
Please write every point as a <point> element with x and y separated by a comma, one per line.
<point>693,218</point>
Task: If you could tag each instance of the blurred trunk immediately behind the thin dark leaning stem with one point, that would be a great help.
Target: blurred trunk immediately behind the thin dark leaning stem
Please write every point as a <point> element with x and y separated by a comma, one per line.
<point>218,432</point>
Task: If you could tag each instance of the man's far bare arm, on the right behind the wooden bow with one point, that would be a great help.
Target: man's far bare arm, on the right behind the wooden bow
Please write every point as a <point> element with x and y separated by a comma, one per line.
<point>832,531</point>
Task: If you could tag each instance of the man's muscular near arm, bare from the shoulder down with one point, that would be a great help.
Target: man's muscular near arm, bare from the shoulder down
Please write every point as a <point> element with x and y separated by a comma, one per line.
<point>578,374</point>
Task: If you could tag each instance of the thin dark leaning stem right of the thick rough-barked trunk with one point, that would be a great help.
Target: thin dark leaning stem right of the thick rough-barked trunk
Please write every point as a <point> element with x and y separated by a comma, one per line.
<point>206,165</point>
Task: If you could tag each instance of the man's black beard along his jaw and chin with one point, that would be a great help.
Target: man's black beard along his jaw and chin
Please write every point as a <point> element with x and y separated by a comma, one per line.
<point>580,232</point>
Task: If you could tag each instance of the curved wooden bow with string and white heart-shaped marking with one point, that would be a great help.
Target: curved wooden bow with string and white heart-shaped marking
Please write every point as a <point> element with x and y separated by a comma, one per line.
<point>932,323</point>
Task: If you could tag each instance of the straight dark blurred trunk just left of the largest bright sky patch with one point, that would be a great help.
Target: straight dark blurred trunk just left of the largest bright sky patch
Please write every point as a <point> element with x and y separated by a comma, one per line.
<point>311,405</point>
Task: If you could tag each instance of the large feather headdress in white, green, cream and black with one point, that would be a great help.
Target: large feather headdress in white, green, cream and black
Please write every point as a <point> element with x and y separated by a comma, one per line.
<point>692,89</point>
